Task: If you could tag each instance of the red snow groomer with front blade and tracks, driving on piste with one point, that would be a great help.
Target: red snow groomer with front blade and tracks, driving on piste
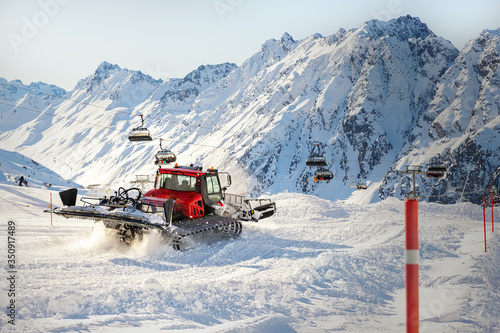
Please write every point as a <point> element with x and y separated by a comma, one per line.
<point>186,205</point>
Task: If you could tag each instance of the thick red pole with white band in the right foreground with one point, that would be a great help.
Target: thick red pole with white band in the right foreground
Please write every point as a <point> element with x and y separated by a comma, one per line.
<point>411,265</point>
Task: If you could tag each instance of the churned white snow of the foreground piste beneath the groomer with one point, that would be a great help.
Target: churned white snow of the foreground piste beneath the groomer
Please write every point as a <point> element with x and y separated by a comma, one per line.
<point>315,266</point>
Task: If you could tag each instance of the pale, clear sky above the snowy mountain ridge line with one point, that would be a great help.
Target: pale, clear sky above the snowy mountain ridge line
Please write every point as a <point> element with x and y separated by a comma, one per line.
<point>62,41</point>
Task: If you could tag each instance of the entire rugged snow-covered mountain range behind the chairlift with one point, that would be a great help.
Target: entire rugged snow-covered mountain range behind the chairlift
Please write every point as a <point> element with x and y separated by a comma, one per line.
<point>375,99</point>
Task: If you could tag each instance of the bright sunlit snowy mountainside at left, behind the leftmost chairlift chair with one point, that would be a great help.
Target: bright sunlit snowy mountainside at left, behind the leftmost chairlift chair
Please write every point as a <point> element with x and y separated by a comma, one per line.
<point>84,135</point>
